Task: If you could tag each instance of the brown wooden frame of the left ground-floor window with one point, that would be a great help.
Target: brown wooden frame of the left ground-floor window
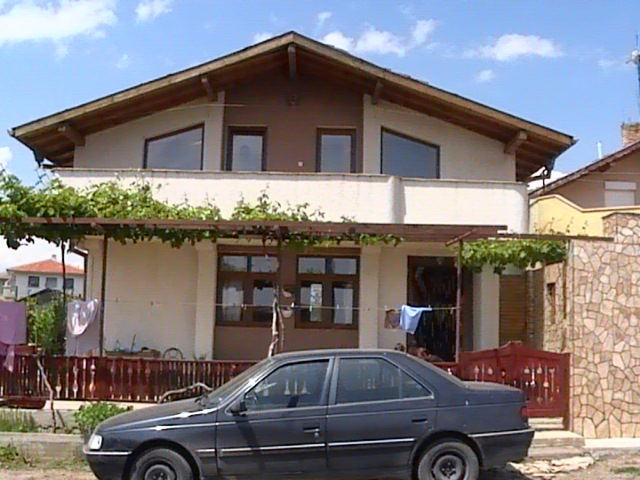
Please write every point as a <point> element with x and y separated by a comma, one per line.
<point>247,278</point>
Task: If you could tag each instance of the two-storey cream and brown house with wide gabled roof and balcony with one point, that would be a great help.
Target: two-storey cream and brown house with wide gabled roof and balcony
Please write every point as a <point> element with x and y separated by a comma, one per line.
<point>308,123</point>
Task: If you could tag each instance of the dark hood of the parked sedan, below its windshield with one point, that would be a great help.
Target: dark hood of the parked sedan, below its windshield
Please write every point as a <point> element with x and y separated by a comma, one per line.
<point>183,412</point>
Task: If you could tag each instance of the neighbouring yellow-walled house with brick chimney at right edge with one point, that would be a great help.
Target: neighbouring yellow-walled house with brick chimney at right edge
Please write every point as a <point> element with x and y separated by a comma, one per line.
<point>577,203</point>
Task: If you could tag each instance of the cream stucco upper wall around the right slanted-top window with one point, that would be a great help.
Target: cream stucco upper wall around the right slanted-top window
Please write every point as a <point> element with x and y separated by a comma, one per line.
<point>463,154</point>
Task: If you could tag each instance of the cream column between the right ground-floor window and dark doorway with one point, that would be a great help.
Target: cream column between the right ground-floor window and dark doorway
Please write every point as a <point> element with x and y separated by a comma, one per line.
<point>369,291</point>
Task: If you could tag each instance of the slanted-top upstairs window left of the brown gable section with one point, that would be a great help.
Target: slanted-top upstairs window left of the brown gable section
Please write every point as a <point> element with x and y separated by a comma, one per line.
<point>181,150</point>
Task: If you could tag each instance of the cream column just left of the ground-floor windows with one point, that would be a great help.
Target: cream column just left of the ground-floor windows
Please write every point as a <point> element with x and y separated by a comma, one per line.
<point>205,300</point>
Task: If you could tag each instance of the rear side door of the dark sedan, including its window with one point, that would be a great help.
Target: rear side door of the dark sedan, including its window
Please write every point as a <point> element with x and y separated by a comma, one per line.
<point>376,415</point>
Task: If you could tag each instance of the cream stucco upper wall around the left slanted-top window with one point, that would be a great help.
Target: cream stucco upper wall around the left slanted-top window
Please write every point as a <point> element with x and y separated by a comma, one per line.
<point>123,146</point>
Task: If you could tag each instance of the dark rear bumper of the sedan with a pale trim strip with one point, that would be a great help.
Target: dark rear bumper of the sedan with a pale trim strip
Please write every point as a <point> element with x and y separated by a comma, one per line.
<point>499,448</point>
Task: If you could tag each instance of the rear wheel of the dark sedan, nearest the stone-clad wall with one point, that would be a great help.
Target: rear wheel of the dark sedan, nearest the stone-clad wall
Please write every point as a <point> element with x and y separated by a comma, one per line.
<point>449,460</point>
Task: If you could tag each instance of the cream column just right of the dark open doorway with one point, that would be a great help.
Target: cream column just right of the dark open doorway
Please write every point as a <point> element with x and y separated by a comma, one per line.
<point>486,309</point>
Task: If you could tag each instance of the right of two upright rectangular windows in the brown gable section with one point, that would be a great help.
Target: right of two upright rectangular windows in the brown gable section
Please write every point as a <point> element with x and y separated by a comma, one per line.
<point>336,151</point>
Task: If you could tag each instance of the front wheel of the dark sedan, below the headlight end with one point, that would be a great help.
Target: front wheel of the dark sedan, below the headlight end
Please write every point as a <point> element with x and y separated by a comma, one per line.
<point>161,464</point>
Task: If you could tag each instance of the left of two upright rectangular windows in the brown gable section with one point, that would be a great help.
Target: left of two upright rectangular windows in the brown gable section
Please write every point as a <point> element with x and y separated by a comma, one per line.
<point>246,149</point>
